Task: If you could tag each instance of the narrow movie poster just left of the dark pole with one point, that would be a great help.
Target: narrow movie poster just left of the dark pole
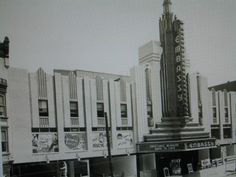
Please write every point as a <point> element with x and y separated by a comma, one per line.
<point>99,140</point>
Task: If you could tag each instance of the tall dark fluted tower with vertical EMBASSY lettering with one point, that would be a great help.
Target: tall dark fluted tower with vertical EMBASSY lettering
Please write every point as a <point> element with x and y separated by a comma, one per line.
<point>174,79</point>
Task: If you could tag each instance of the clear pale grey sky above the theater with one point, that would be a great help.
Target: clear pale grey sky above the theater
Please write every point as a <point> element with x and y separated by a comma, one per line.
<point>104,35</point>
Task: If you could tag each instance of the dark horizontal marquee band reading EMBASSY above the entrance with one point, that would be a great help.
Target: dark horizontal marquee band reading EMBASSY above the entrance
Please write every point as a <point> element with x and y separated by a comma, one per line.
<point>175,146</point>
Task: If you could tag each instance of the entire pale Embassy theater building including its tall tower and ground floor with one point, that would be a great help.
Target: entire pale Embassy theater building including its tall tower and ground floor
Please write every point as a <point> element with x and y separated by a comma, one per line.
<point>161,119</point>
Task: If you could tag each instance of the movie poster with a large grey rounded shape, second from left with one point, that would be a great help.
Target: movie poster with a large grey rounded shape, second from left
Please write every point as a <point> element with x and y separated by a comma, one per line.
<point>75,141</point>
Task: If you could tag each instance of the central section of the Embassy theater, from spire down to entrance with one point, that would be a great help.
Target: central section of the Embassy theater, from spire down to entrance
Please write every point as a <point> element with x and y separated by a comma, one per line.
<point>179,136</point>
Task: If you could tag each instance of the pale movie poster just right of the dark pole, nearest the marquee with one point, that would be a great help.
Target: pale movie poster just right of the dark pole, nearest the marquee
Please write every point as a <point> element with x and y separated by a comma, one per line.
<point>125,139</point>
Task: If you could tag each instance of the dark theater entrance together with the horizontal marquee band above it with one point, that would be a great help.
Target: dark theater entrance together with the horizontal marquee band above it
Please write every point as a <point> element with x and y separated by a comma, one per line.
<point>176,157</point>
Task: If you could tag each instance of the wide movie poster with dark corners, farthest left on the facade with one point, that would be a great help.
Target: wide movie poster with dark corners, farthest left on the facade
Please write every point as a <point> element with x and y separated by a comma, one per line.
<point>44,142</point>
